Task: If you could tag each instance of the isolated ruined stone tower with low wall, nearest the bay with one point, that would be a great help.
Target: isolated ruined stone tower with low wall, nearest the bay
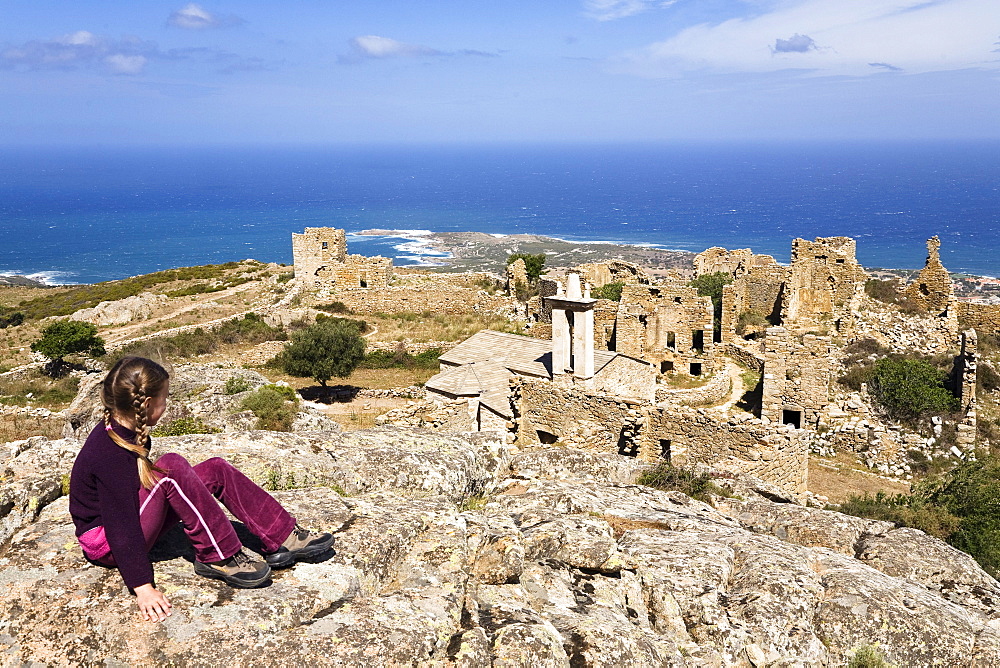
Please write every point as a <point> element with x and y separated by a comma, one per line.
<point>321,260</point>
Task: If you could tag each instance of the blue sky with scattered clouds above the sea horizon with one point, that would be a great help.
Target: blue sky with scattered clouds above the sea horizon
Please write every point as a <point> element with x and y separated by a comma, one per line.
<point>133,73</point>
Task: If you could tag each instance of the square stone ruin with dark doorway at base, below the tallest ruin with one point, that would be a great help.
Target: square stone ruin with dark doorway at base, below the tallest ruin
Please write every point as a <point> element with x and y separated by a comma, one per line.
<point>796,377</point>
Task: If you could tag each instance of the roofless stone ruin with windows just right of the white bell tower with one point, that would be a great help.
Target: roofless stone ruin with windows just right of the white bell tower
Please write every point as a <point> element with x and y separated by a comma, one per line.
<point>668,325</point>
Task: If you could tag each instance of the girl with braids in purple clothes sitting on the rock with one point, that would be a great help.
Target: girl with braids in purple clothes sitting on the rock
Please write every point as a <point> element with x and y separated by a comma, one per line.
<point>121,502</point>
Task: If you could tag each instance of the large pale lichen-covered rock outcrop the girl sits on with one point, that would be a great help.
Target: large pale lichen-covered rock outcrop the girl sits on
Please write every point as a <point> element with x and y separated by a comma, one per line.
<point>455,550</point>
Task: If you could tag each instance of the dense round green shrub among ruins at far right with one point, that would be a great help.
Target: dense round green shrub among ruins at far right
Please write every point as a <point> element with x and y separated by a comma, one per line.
<point>909,389</point>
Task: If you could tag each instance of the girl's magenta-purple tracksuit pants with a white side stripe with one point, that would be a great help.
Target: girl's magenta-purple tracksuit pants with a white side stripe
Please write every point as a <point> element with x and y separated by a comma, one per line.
<point>191,495</point>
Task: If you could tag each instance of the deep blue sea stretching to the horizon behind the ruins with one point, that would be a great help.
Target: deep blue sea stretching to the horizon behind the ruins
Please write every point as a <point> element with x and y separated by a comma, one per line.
<point>87,215</point>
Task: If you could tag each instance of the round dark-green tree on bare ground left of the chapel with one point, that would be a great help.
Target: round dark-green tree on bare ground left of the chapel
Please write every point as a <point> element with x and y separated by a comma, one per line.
<point>330,347</point>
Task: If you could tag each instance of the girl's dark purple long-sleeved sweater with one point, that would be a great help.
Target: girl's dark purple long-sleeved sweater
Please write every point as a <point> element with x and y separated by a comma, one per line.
<point>104,491</point>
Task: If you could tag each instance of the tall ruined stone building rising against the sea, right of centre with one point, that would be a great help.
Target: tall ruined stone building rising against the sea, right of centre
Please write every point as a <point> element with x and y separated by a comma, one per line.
<point>826,286</point>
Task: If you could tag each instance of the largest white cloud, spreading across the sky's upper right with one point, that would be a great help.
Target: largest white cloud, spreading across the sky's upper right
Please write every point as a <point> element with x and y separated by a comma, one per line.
<point>832,38</point>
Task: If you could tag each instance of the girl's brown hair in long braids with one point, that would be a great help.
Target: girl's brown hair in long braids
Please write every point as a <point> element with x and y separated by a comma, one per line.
<point>131,381</point>
